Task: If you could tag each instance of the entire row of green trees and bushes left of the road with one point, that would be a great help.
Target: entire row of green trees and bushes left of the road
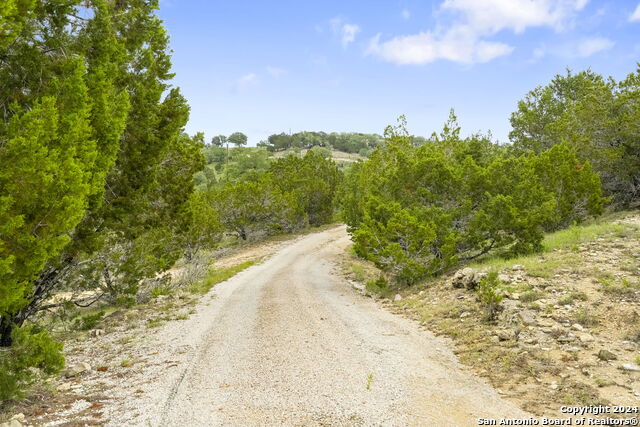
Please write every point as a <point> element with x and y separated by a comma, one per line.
<point>97,186</point>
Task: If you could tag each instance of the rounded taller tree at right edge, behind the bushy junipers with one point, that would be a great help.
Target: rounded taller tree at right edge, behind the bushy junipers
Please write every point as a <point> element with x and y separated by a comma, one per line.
<point>593,116</point>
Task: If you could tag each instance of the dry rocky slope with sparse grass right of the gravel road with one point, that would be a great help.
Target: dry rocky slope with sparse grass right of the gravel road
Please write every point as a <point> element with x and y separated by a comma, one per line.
<point>568,329</point>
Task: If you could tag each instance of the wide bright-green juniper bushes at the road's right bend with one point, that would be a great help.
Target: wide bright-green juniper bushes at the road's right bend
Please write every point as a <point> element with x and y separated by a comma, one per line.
<point>416,211</point>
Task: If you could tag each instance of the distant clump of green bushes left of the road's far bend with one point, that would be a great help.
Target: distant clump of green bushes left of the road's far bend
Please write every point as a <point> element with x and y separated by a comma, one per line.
<point>288,195</point>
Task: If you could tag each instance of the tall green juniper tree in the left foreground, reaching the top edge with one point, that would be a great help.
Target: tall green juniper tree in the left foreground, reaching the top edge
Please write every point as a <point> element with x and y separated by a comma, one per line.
<point>88,107</point>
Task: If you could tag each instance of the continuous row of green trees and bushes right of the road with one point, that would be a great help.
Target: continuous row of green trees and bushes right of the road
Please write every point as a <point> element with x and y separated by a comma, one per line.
<point>416,211</point>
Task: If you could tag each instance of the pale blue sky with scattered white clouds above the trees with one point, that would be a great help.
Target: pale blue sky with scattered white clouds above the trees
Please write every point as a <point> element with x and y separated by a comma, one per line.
<point>263,67</point>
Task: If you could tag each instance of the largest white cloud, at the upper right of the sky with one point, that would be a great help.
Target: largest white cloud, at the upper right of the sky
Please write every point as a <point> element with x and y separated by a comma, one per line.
<point>465,39</point>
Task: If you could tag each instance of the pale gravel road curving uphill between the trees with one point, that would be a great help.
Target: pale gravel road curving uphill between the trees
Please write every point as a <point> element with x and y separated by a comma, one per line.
<point>289,342</point>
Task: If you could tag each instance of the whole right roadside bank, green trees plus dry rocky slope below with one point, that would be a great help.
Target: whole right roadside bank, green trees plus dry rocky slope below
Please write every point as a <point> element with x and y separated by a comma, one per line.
<point>505,249</point>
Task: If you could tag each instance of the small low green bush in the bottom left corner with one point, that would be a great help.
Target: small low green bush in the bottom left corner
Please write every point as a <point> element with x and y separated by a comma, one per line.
<point>33,352</point>
